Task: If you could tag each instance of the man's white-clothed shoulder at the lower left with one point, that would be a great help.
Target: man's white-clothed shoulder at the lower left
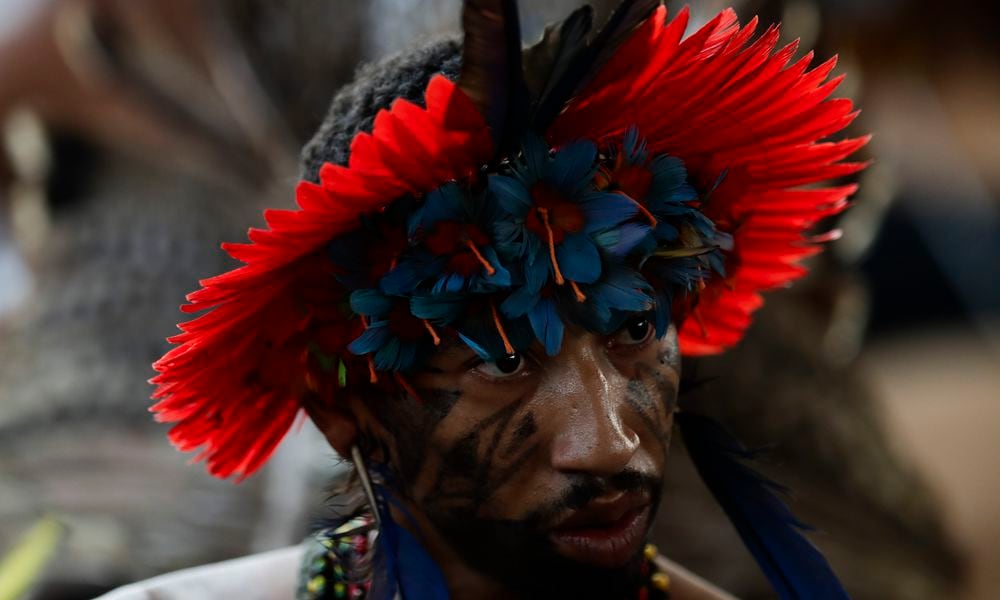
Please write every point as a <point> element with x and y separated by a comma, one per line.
<point>266,576</point>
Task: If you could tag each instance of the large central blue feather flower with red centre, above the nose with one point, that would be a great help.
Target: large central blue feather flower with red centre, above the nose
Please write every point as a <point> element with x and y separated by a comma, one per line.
<point>558,227</point>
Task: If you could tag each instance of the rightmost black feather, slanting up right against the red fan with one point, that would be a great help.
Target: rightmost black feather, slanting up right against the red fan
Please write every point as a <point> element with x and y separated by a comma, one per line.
<point>578,61</point>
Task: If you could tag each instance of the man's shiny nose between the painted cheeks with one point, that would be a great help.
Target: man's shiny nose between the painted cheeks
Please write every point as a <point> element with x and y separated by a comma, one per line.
<point>588,396</point>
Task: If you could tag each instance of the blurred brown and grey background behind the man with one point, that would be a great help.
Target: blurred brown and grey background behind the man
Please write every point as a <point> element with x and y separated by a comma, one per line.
<point>135,135</point>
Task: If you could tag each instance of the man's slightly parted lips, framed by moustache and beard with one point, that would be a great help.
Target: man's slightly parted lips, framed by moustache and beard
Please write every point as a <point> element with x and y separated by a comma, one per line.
<point>604,534</point>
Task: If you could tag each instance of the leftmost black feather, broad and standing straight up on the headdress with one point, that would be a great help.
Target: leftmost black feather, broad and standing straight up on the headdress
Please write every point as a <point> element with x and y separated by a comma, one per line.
<point>491,68</point>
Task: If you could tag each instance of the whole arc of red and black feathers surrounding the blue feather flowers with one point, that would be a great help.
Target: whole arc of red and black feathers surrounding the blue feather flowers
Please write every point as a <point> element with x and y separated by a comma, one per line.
<point>746,121</point>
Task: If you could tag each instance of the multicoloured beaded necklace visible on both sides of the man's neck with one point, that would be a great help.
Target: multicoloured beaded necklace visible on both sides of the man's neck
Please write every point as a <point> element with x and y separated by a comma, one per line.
<point>338,560</point>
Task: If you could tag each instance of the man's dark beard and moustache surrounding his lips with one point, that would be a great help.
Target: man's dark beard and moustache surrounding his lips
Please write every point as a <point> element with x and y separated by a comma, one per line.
<point>519,555</point>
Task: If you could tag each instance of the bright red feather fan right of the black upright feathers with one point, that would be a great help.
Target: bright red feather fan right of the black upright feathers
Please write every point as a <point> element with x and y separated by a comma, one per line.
<point>726,104</point>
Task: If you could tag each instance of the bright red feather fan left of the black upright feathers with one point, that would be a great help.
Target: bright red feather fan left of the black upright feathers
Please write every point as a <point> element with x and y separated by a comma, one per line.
<point>234,384</point>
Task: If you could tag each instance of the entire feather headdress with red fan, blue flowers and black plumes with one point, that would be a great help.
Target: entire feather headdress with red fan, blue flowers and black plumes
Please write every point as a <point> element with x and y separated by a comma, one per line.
<point>632,169</point>
